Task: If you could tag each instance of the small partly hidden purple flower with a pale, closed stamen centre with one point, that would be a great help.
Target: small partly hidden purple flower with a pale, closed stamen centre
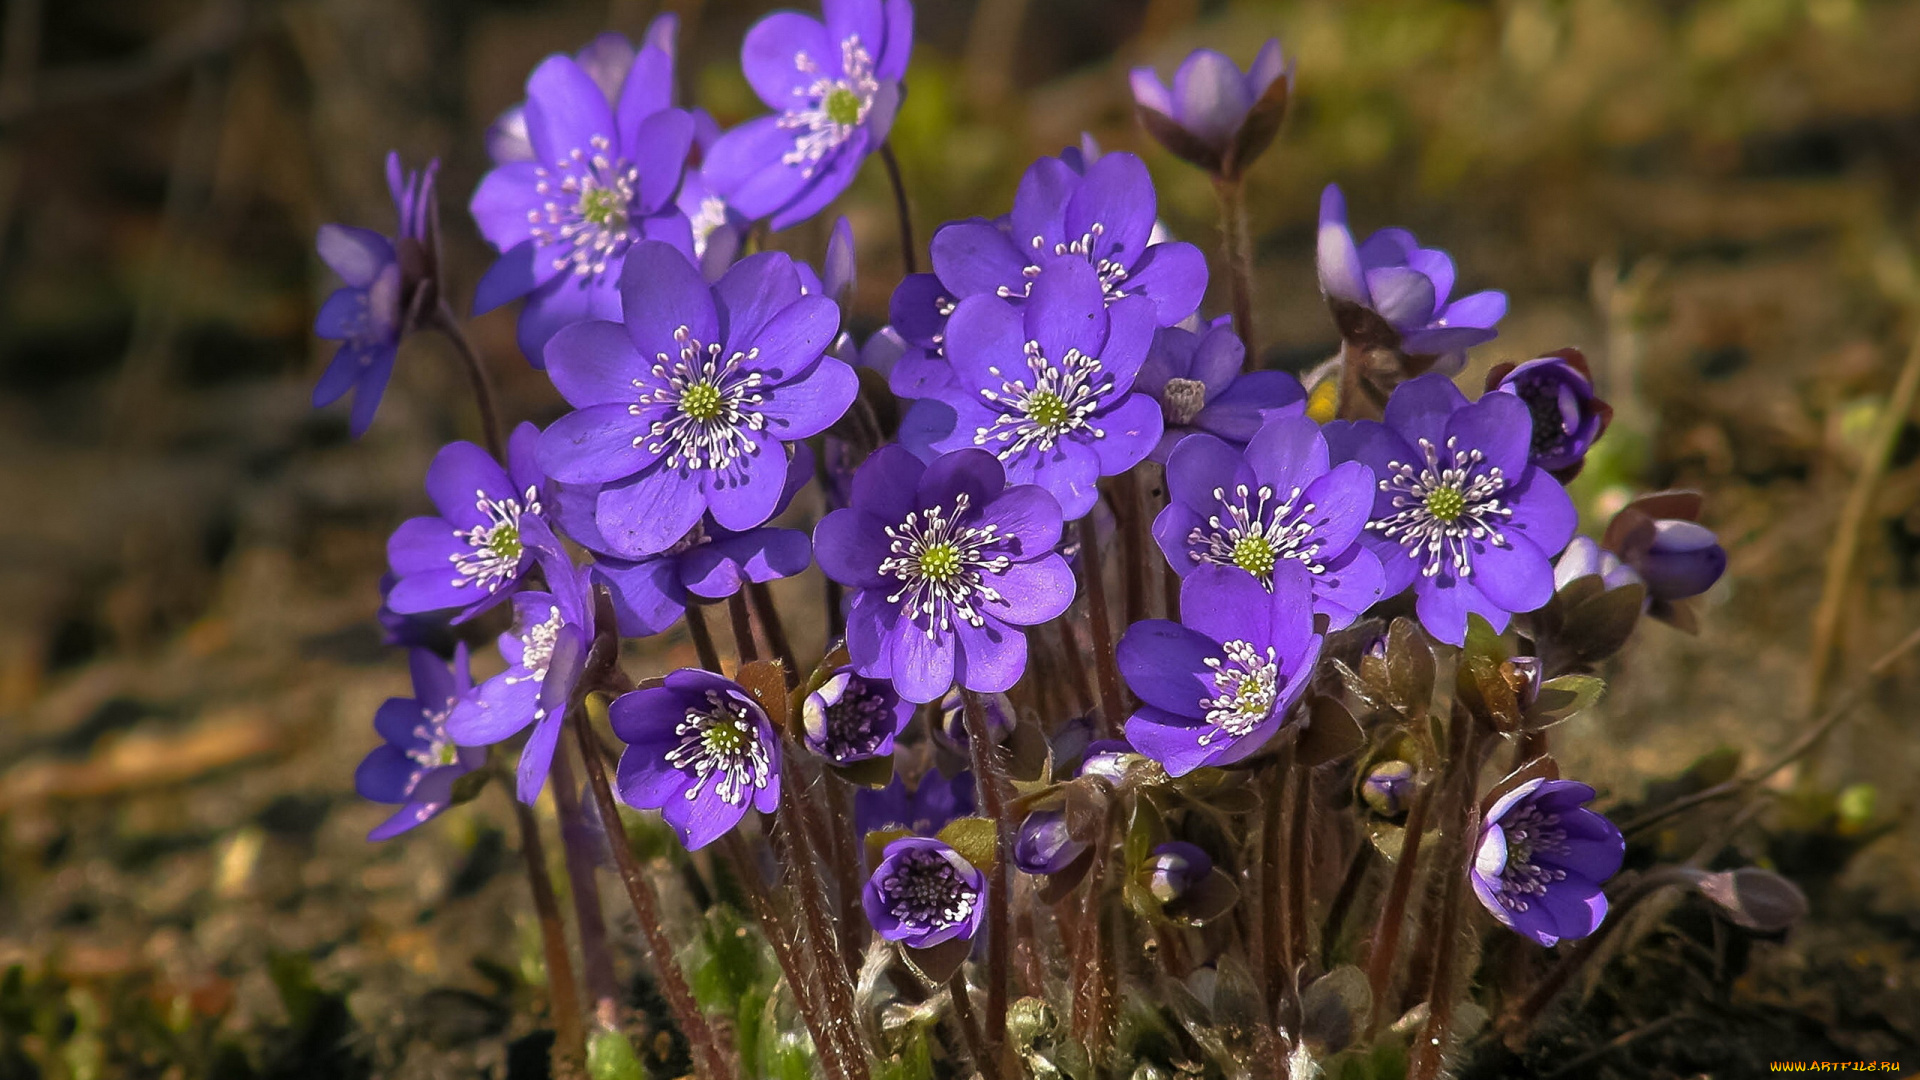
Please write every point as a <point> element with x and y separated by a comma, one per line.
<point>1201,387</point>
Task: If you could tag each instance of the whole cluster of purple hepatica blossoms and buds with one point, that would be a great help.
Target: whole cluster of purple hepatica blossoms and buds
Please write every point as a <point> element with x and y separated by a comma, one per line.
<point>1051,349</point>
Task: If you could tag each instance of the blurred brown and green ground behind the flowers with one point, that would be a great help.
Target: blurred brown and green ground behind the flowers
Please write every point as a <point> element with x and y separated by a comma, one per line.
<point>1719,201</point>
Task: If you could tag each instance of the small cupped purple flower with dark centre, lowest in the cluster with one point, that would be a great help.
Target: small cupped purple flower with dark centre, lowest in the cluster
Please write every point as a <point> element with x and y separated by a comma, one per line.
<point>924,895</point>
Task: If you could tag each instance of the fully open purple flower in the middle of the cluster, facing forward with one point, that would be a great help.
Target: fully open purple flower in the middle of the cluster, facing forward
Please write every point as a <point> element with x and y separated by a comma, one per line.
<point>946,564</point>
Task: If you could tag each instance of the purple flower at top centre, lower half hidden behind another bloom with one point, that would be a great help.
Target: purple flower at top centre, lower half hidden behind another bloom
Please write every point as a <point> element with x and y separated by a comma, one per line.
<point>1101,220</point>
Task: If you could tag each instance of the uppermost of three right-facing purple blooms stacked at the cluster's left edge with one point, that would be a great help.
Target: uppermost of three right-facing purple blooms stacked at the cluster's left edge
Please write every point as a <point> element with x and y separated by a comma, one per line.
<point>475,551</point>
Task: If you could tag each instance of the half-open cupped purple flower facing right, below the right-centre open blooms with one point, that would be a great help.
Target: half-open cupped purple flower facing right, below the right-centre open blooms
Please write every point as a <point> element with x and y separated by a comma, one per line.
<point>1222,681</point>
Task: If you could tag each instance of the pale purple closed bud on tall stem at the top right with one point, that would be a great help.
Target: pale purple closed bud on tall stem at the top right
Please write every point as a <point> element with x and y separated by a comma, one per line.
<point>1214,116</point>
